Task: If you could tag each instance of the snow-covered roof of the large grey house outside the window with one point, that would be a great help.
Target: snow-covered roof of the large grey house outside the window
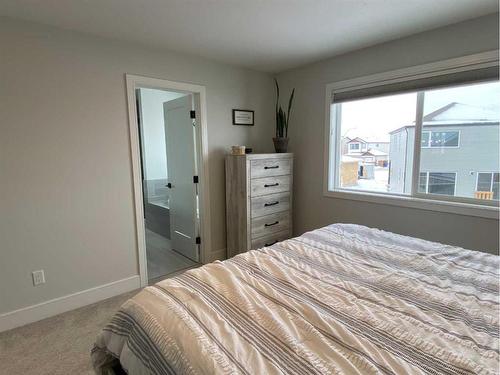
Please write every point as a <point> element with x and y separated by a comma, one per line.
<point>456,113</point>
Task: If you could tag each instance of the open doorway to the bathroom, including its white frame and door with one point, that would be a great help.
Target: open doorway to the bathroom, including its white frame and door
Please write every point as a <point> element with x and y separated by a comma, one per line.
<point>168,160</point>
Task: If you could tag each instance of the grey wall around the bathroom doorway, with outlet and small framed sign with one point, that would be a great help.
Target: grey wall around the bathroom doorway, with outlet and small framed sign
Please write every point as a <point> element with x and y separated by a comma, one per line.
<point>65,166</point>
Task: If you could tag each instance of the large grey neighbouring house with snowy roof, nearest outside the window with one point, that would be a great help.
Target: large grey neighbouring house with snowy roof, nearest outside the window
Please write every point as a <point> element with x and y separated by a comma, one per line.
<point>459,154</point>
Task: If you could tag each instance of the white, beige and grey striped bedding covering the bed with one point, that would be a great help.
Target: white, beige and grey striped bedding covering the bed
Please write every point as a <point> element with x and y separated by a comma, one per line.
<point>344,299</point>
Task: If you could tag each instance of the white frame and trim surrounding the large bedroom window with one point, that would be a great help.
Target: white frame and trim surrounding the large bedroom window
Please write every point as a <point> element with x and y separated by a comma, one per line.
<point>432,202</point>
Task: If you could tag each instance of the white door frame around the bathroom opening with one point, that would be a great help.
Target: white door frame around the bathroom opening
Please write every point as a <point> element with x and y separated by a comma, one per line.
<point>134,82</point>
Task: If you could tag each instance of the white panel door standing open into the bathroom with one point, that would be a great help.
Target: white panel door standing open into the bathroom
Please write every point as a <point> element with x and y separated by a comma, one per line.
<point>181,167</point>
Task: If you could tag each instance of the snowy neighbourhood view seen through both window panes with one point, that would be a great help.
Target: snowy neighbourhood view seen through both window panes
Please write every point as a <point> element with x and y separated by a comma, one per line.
<point>377,141</point>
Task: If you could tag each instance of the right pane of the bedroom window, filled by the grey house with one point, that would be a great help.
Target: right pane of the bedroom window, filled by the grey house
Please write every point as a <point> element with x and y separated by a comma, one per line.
<point>463,122</point>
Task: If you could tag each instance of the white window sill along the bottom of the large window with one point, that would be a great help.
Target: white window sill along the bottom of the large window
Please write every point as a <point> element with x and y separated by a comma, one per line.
<point>467,209</point>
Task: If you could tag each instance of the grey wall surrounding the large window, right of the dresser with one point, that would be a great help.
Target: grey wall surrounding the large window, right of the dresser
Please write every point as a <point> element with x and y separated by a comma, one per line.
<point>311,208</point>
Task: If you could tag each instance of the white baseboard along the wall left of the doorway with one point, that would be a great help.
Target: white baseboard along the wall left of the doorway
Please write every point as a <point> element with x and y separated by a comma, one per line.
<point>33,313</point>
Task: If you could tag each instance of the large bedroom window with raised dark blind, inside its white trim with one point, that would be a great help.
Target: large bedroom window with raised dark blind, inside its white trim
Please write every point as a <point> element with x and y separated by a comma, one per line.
<point>456,122</point>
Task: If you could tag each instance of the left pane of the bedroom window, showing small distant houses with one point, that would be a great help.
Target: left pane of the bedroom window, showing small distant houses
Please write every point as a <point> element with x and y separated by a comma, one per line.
<point>370,125</point>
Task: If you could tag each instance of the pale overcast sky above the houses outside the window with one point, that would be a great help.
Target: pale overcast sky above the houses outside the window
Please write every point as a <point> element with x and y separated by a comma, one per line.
<point>374,118</point>
